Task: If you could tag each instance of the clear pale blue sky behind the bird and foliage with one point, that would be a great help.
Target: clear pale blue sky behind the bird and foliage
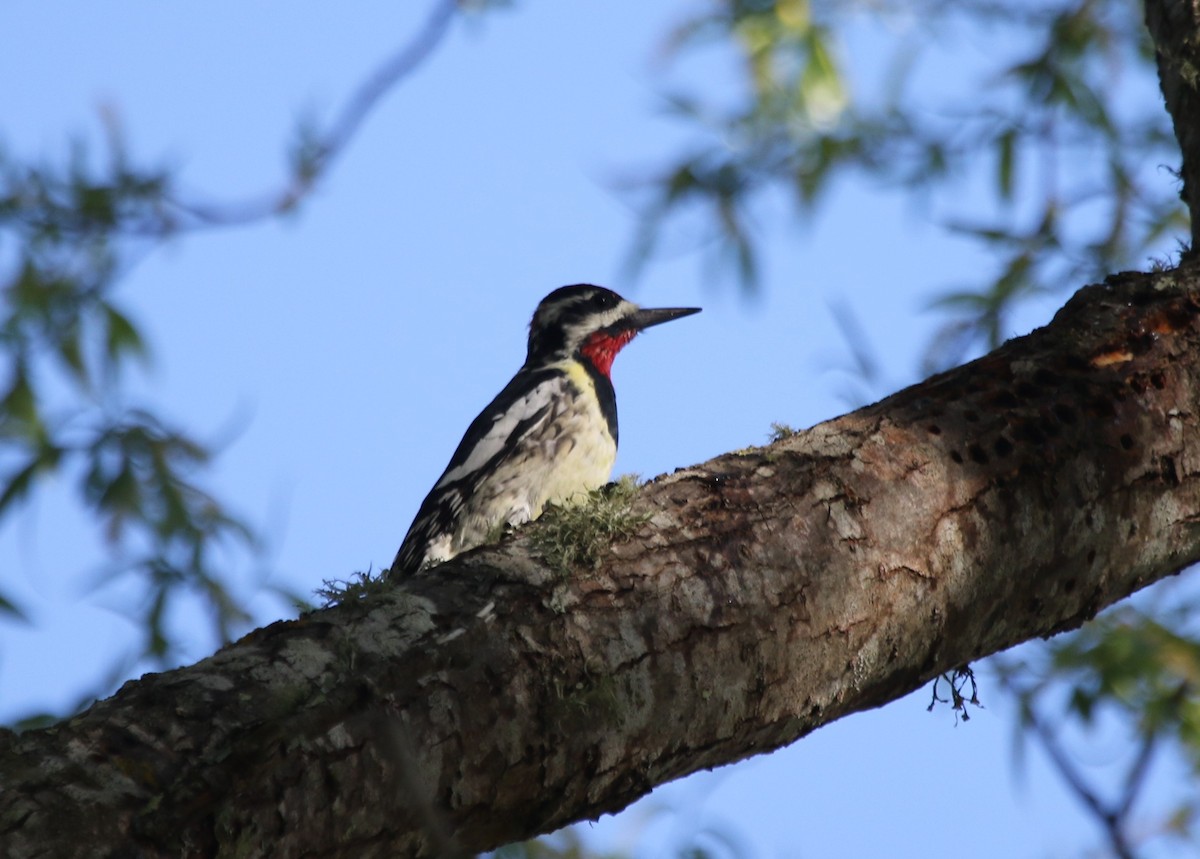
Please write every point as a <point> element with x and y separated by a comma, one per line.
<point>338,356</point>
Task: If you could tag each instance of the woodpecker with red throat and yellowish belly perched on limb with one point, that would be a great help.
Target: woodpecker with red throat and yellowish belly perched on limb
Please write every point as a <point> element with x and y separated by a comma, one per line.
<point>549,437</point>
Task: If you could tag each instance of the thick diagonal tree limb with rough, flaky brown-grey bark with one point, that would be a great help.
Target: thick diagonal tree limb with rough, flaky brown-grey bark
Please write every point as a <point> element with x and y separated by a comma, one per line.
<point>772,591</point>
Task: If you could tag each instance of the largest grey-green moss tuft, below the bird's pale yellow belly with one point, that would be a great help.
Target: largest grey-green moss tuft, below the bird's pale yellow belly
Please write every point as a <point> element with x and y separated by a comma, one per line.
<point>569,538</point>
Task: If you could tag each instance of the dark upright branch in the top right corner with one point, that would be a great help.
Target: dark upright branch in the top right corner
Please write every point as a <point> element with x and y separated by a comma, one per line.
<point>1175,31</point>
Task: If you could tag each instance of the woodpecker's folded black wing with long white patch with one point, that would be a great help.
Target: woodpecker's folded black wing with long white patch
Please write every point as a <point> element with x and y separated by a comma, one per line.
<point>491,438</point>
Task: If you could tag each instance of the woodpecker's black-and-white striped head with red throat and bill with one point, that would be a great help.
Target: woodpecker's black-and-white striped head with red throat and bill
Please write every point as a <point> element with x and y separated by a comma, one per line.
<point>590,322</point>
